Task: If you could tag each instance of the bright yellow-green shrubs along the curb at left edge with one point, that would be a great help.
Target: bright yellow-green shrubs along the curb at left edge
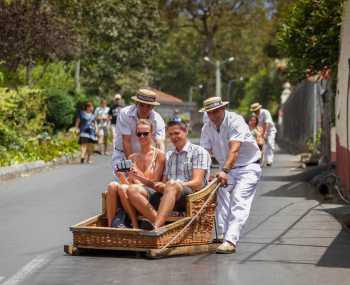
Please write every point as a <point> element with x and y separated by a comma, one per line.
<point>22,123</point>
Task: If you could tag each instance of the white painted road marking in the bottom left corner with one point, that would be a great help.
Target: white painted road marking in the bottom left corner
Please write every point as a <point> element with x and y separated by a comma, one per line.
<point>27,270</point>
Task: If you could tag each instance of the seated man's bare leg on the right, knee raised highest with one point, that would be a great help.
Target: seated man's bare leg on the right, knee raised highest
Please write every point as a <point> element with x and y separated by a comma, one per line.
<point>171,193</point>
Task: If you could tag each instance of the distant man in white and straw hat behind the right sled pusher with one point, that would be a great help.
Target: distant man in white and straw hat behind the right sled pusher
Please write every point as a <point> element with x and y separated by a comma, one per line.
<point>269,131</point>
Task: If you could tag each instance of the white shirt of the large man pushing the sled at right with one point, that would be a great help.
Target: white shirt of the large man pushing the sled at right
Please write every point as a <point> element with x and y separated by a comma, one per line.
<point>233,128</point>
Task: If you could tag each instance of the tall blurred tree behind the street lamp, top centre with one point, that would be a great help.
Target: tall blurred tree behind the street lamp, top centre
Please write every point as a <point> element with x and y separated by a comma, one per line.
<point>218,29</point>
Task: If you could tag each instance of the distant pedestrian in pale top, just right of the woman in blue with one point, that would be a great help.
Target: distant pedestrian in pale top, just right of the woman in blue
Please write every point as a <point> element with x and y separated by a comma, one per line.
<point>102,118</point>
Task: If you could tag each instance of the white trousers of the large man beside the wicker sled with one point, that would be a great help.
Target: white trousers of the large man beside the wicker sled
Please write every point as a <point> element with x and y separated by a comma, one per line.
<point>234,201</point>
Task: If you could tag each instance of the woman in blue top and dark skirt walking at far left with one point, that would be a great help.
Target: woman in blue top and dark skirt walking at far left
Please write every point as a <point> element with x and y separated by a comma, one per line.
<point>86,124</point>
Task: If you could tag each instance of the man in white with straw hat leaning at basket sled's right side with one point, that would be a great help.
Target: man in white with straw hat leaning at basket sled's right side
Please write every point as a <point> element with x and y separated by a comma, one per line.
<point>227,136</point>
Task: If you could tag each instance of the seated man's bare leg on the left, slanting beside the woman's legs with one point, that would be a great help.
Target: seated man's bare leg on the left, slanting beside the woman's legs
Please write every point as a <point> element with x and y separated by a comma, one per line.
<point>141,203</point>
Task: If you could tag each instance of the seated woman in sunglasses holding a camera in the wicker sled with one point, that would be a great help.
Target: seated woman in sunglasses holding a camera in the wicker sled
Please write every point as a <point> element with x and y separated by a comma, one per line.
<point>148,165</point>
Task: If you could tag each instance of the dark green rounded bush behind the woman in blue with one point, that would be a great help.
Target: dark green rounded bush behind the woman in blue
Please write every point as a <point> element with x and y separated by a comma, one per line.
<point>61,108</point>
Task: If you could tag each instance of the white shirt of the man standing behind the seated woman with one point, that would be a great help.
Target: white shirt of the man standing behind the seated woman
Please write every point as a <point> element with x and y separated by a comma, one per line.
<point>126,125</point>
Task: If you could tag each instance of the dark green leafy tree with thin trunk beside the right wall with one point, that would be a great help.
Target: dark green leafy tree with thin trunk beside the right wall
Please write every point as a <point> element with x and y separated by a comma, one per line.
<point>309,37</point>
